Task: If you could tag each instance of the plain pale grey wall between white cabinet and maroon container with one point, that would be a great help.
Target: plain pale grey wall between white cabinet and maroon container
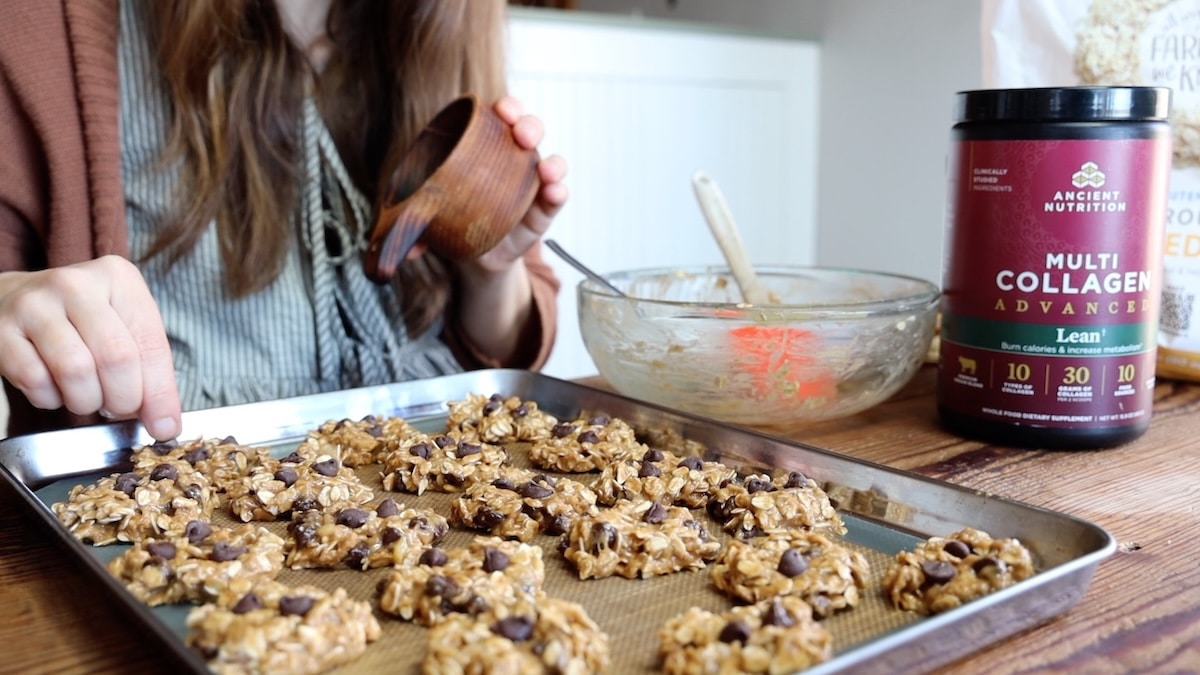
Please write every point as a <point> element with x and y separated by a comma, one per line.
<point>890,70</point>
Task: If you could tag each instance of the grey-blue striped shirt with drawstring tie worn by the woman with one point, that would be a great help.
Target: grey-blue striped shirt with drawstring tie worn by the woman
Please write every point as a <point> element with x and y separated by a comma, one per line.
<point>321,326</point>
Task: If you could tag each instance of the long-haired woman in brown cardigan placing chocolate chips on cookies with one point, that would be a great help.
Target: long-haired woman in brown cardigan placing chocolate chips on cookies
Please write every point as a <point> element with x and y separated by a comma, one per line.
<point>188,187</point>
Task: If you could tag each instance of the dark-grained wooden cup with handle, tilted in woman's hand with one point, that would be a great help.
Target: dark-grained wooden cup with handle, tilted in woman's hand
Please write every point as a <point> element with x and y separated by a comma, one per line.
<point>461,187</point>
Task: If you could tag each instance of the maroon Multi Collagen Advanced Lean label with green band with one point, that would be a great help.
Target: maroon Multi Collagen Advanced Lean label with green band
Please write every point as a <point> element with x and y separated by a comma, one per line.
<point>1052,282</point>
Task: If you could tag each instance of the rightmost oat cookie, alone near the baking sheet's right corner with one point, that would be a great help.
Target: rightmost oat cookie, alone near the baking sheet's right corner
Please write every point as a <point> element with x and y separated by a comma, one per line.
<point>946,572</point>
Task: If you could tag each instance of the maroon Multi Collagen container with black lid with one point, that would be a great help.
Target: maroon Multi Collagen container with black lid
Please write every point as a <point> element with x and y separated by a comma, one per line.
<point>1053,266</point>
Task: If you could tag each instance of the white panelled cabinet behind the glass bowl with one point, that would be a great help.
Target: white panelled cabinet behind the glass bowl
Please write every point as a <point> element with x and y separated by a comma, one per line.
<point>637,107</point>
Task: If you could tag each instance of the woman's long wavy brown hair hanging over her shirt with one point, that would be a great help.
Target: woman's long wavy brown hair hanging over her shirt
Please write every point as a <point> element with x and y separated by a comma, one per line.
<point>237,85</point>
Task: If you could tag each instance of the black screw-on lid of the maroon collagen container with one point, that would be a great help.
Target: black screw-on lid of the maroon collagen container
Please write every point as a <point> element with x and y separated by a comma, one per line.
<point>1065,104</point>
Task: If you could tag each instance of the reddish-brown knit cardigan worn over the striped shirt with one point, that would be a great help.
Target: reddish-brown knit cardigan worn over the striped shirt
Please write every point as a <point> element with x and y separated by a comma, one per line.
<point>62,200</point>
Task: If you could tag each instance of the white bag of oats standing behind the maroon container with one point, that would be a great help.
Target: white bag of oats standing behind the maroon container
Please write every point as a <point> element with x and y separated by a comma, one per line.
<point>1135,43</point>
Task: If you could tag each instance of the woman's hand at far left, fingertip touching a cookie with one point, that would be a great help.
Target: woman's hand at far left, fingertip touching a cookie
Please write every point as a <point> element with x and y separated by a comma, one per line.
<point>89,337</point>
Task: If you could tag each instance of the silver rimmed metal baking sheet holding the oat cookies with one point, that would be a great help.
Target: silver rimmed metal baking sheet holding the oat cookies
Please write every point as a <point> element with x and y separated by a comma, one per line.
<point>885,511</point>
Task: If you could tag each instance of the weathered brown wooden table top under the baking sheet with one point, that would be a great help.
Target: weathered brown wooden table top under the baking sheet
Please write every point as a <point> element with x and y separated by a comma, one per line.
<point>1142,613</point>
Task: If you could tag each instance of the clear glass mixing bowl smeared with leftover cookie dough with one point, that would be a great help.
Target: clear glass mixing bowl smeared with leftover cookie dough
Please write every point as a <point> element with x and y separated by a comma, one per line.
<point>832,344</point>
